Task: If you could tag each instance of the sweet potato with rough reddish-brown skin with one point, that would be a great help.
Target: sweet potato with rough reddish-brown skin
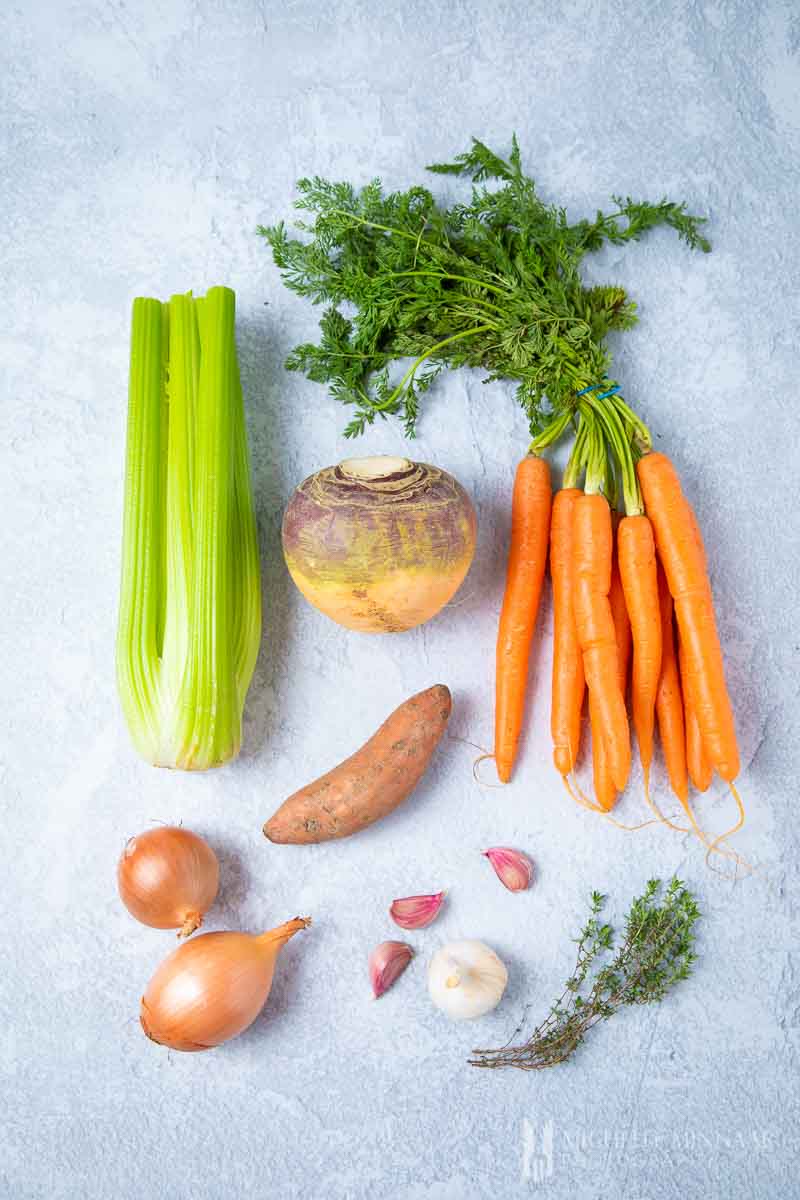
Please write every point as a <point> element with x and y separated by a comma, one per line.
<point>372,782</point>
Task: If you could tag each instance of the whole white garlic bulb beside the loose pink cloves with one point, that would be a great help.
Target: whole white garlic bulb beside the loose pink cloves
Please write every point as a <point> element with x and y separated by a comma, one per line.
<point>467,980</point>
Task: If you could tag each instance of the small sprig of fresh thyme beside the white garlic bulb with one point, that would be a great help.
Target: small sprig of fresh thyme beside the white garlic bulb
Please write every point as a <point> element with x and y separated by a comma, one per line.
<point>657,953</point>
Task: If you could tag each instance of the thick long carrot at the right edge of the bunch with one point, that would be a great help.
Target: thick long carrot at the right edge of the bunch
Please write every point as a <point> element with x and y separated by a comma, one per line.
<point>684,563</point>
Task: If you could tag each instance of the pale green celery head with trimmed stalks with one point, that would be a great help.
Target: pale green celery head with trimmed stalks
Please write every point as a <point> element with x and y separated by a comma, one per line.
<point>191,605</point>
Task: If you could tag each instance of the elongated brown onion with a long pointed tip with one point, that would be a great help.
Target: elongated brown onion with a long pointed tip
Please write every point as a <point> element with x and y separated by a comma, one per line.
<point>213,988</point>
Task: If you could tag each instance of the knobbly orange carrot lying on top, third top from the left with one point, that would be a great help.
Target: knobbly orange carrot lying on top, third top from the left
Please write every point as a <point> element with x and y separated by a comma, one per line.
<point>592,565</point>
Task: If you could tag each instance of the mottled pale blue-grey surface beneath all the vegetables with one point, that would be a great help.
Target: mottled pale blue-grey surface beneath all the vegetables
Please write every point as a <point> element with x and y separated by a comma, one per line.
<point>142,143</point>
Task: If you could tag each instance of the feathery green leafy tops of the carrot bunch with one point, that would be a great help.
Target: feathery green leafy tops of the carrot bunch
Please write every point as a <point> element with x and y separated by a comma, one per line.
<point>494,283</point>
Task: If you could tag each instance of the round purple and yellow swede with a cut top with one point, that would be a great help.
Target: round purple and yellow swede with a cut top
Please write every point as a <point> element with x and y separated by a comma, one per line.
<point>380,553</point>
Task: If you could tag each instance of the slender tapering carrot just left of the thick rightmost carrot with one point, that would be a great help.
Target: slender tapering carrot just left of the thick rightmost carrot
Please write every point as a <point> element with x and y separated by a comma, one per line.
<point>637,565</point>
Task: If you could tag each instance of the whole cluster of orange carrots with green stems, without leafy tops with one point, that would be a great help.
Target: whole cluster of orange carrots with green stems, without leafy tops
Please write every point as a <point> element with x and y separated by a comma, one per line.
<point>627,590</point>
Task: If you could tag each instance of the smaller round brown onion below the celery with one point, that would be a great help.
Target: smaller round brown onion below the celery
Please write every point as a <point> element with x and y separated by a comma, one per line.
<point>169,879</point>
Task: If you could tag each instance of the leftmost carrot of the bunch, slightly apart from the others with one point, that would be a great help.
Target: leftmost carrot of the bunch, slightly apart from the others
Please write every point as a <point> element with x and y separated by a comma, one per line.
<point>531,518</point>
